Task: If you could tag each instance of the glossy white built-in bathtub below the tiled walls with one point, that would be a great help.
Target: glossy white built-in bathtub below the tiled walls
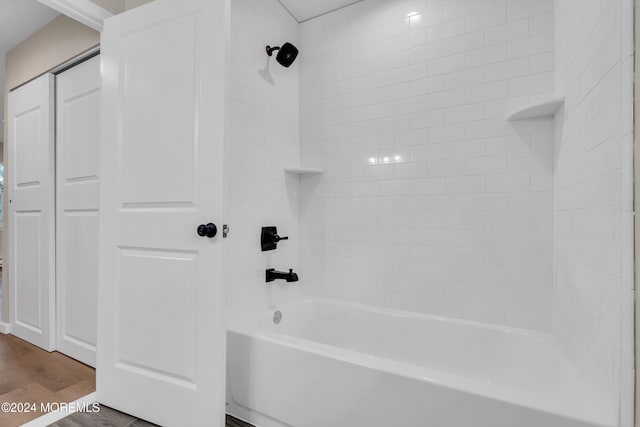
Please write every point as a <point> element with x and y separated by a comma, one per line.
<point>332,364</point>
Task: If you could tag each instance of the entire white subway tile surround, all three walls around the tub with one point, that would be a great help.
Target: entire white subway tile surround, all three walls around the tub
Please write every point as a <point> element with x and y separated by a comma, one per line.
<point>430,200</point>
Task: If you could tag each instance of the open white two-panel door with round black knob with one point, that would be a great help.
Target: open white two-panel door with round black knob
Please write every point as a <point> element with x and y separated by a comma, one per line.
<point>161,321</point>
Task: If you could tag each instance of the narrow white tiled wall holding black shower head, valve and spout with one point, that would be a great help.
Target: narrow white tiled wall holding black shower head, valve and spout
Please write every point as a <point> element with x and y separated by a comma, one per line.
<point>263,138</point>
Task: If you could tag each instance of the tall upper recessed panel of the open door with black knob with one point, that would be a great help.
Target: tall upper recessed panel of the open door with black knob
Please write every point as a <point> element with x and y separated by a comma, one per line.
<point>140,142</point>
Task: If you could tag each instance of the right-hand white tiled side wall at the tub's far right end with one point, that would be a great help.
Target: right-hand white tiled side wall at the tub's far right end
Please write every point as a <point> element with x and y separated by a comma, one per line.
<point>593,192</point>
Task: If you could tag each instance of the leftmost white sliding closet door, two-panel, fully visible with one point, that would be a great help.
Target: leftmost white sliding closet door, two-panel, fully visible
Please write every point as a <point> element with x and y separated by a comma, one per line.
<point>31,213</point>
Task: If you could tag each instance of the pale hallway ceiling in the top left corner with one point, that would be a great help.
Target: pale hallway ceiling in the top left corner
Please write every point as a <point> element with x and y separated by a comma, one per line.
<point>18,20</point>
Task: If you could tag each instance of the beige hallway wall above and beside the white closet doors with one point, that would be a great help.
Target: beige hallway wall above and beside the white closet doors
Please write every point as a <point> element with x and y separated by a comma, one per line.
<point>57,42</point>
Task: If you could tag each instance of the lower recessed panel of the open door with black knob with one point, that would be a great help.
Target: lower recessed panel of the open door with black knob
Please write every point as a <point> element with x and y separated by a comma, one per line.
<point>161,271</point>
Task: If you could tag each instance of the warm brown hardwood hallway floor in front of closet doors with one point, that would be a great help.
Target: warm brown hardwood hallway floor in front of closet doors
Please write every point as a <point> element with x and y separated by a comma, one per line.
<point>31,375</point>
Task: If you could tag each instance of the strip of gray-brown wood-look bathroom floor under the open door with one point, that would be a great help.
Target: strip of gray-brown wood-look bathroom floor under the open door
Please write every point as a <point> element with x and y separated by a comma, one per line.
<point>108,417</point>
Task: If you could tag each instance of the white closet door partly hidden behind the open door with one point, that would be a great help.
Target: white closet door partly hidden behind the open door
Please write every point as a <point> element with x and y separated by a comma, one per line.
<point>77,165</point>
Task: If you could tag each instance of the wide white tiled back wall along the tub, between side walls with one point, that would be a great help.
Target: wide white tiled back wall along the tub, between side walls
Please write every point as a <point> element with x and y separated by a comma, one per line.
<point>430,200</point>
